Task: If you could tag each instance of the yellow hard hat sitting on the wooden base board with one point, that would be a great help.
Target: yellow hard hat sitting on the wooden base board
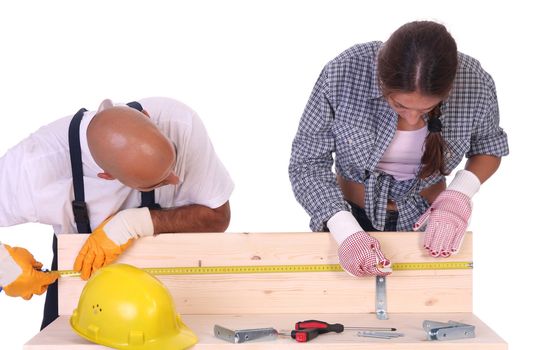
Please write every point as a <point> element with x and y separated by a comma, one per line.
<point>124,307</point>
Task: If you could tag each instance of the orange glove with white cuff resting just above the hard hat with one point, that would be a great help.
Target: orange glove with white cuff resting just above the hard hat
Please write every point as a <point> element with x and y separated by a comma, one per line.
<point>113,236</point>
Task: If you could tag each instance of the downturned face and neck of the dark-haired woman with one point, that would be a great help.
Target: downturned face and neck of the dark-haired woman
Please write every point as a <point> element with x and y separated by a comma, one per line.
<point>412,106</point>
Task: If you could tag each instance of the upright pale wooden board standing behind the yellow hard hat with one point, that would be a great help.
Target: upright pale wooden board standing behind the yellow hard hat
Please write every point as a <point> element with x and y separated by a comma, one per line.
<point>407,291</point>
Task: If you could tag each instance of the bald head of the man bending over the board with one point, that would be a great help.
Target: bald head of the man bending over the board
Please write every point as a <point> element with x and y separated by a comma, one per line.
<point>130,148</point>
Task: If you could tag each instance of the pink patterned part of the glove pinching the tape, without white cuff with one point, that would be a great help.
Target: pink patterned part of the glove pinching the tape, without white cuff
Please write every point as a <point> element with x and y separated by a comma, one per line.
<point>361,255</point>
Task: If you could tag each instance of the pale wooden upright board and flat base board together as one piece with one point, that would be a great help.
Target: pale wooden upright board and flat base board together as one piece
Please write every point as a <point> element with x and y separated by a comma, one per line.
<point>241,301</point>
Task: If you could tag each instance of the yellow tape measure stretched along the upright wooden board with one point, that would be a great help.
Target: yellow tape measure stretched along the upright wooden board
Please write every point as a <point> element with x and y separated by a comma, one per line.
<point>218,270</point>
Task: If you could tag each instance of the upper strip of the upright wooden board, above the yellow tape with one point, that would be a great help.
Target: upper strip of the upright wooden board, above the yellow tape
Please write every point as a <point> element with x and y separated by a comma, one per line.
<point>209,249</point>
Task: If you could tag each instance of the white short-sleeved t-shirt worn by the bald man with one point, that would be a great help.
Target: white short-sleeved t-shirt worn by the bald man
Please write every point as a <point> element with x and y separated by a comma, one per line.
<point>36,180</point>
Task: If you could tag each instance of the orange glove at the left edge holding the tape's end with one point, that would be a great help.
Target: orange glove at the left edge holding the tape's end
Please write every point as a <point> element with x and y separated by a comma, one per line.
<point>31,280</point>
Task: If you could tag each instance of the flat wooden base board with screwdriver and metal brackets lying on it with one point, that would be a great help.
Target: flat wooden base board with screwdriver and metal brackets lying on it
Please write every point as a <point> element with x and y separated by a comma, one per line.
<point>59,336</point>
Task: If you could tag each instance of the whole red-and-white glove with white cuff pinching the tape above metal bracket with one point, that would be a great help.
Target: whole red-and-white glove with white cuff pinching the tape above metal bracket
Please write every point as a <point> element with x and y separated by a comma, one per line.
<point>359,253</point>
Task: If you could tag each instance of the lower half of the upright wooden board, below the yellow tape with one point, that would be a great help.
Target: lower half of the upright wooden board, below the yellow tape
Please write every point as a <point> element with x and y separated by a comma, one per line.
<point>331,292</point>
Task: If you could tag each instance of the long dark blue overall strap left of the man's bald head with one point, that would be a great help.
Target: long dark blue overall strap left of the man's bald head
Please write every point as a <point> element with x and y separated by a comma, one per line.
<point>81,216</point>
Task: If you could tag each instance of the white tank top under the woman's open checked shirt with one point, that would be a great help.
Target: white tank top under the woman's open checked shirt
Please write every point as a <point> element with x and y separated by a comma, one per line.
<point>402,157</point>
